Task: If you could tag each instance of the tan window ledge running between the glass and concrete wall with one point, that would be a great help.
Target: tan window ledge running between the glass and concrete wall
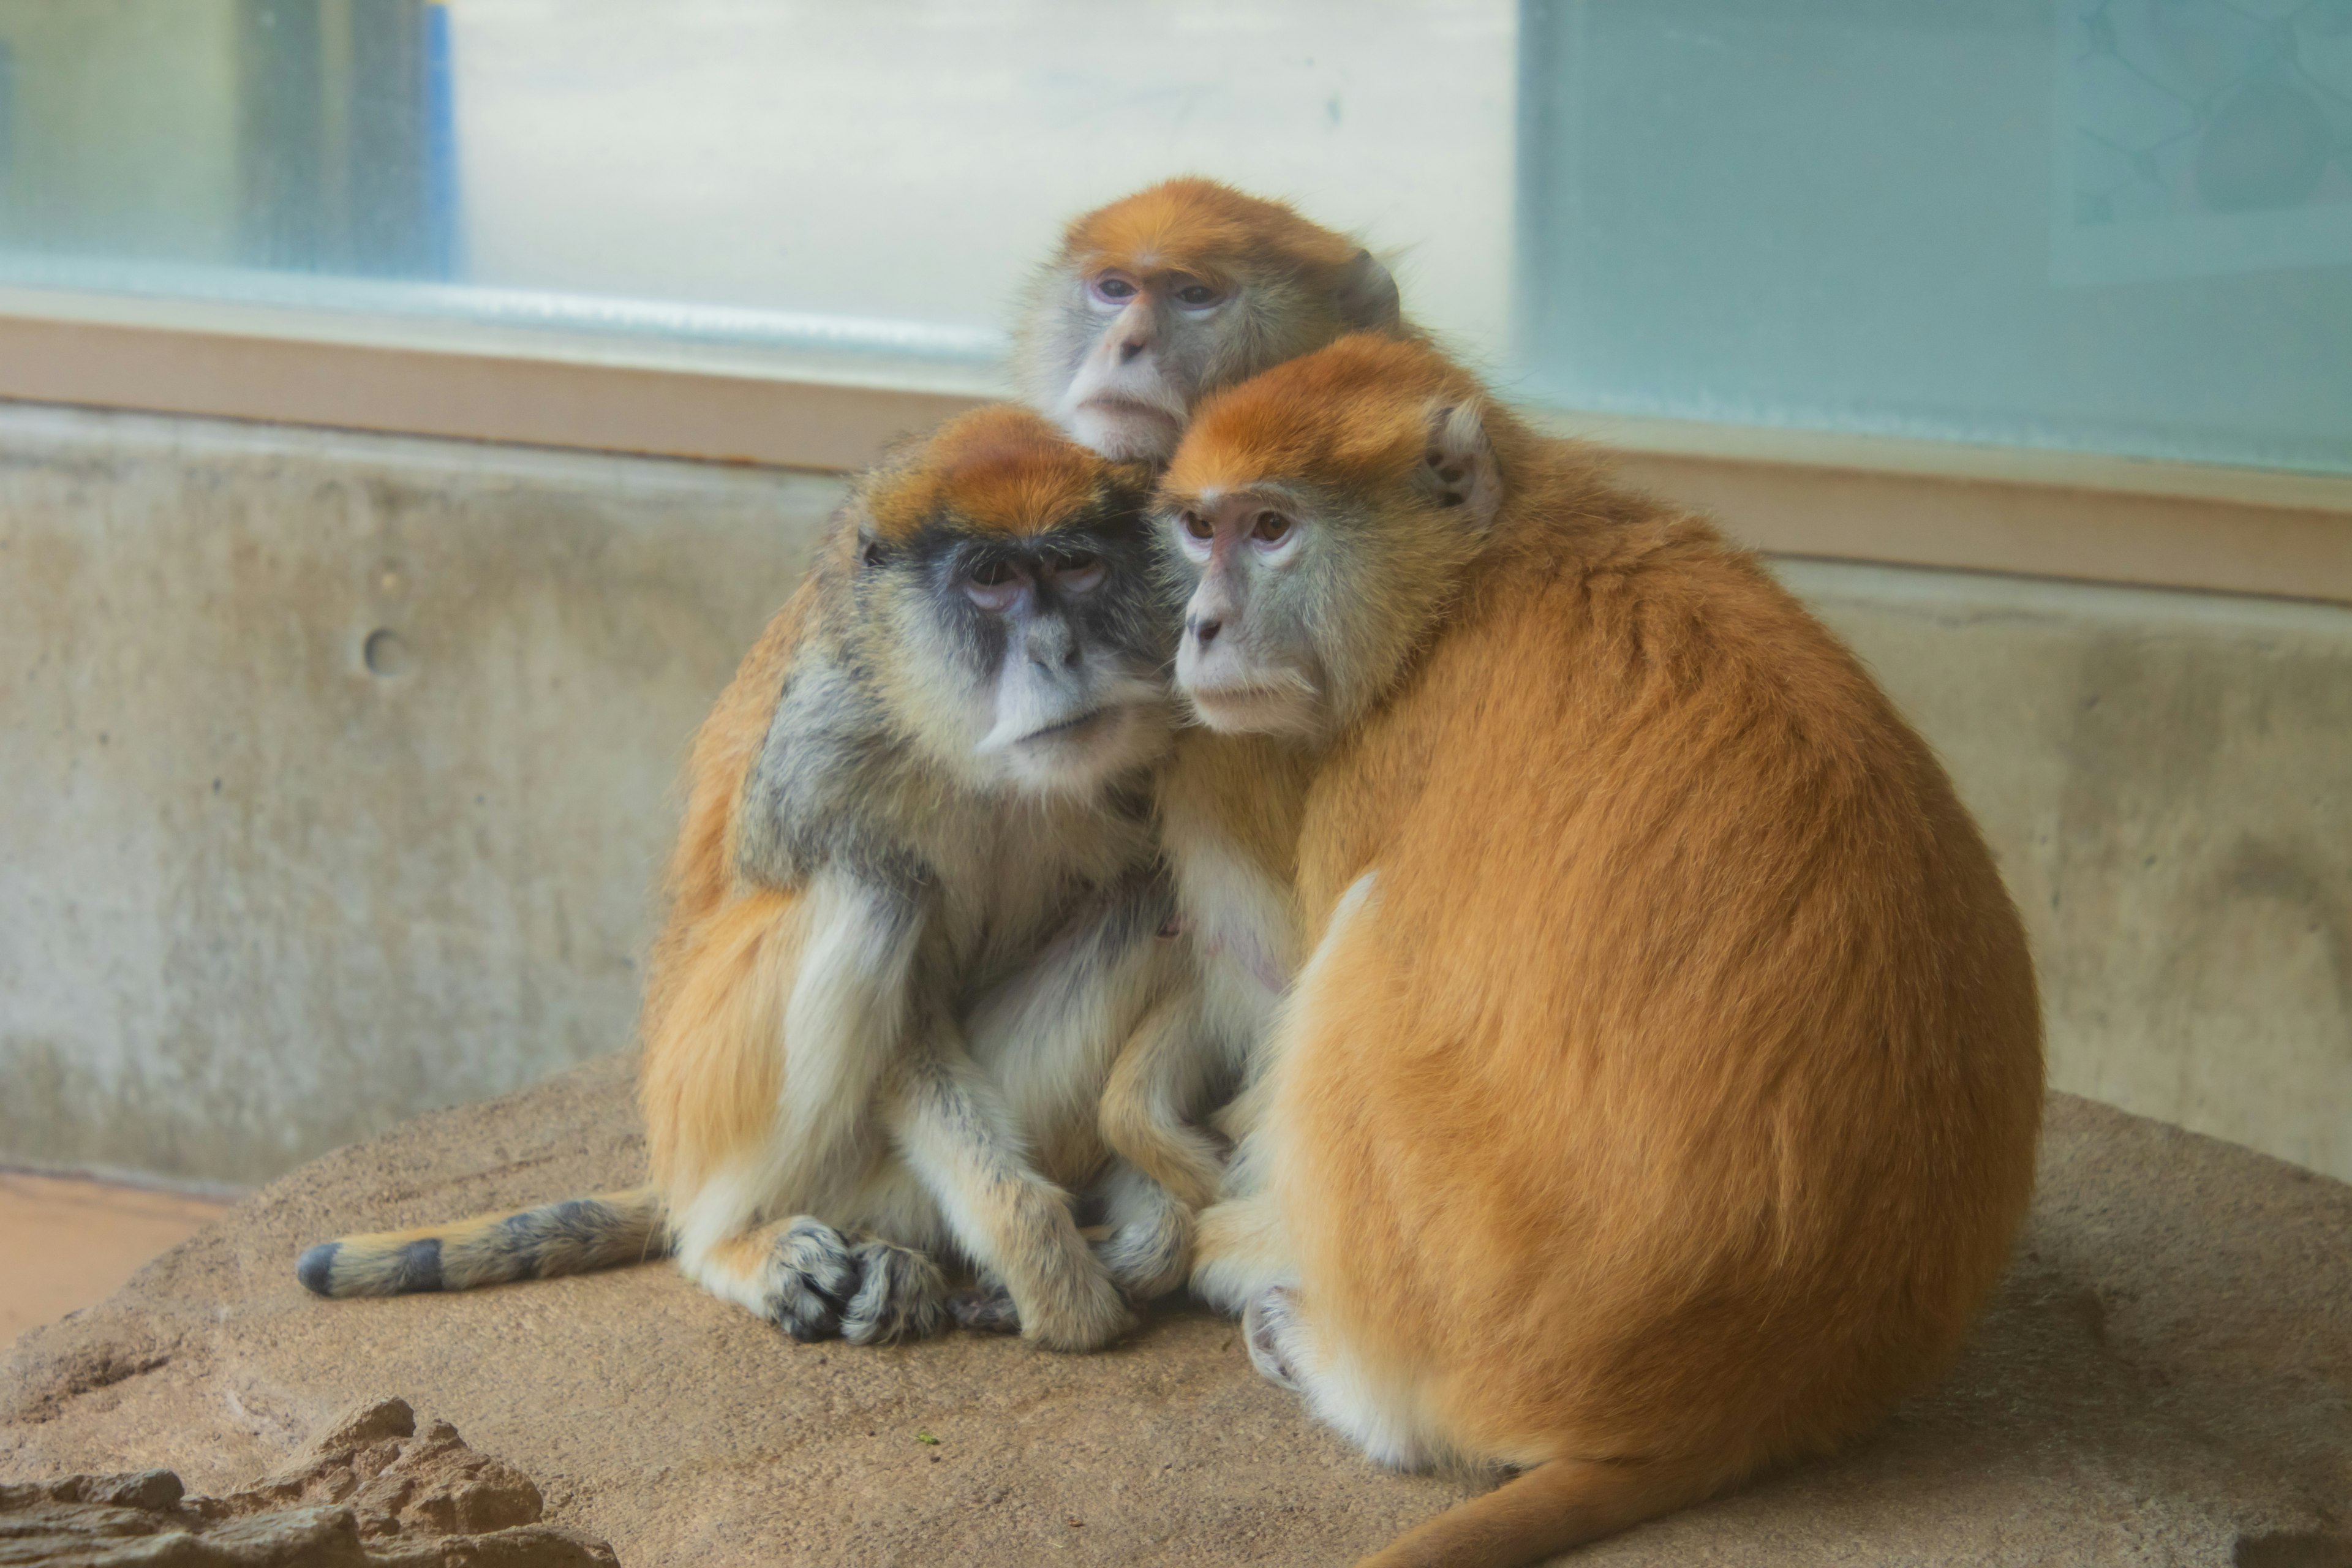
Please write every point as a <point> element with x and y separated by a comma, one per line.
<point>1786,492</point>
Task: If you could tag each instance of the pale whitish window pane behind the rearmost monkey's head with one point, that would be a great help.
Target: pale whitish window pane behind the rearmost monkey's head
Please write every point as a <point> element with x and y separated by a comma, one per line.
<point>751,170</point>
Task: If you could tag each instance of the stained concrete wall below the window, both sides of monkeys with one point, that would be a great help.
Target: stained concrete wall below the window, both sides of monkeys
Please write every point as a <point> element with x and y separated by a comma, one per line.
<point>335,779</point>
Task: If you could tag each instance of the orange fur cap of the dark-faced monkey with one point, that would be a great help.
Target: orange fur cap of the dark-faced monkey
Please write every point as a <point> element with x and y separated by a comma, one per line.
<point>998,471</point>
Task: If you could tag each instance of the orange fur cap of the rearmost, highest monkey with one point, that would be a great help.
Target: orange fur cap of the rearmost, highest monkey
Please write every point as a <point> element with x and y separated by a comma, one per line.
<point>1198,227</point>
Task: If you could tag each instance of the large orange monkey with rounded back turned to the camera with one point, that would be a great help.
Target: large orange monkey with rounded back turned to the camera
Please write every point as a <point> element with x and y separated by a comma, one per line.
<point>1657,1101</point>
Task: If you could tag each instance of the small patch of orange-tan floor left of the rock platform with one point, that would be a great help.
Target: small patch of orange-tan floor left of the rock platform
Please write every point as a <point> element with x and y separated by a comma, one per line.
<point>69,1245</point>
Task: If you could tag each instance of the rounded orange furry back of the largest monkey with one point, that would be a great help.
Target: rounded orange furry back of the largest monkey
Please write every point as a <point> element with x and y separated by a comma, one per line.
<point>1678,1090</point>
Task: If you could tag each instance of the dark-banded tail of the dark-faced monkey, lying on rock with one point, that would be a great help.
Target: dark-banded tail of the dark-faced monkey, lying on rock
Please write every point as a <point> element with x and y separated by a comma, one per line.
<point>570,1238</point>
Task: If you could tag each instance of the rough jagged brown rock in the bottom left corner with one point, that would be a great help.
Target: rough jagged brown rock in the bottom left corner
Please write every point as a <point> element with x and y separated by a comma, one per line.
<point>368,1494</point>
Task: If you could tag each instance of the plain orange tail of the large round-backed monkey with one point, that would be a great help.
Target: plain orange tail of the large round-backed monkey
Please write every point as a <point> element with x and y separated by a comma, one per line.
<point>1546,1510</point>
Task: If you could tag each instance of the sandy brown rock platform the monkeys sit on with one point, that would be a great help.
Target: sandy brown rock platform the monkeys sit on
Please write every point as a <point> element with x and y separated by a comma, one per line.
<point>2165,1379</point>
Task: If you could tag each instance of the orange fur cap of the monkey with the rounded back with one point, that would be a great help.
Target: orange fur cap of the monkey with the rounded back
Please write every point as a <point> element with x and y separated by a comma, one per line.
<point>1332,417</point>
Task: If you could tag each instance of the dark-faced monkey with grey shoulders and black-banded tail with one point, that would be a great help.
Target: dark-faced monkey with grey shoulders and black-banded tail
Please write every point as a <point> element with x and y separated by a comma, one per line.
<point>923,800</point>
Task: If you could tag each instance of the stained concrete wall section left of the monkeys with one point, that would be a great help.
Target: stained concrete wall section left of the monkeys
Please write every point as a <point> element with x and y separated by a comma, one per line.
<point>335,770</point>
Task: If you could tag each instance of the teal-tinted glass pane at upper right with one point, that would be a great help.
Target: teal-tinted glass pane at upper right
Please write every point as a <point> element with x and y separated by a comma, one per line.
<point>2102,225</point>
